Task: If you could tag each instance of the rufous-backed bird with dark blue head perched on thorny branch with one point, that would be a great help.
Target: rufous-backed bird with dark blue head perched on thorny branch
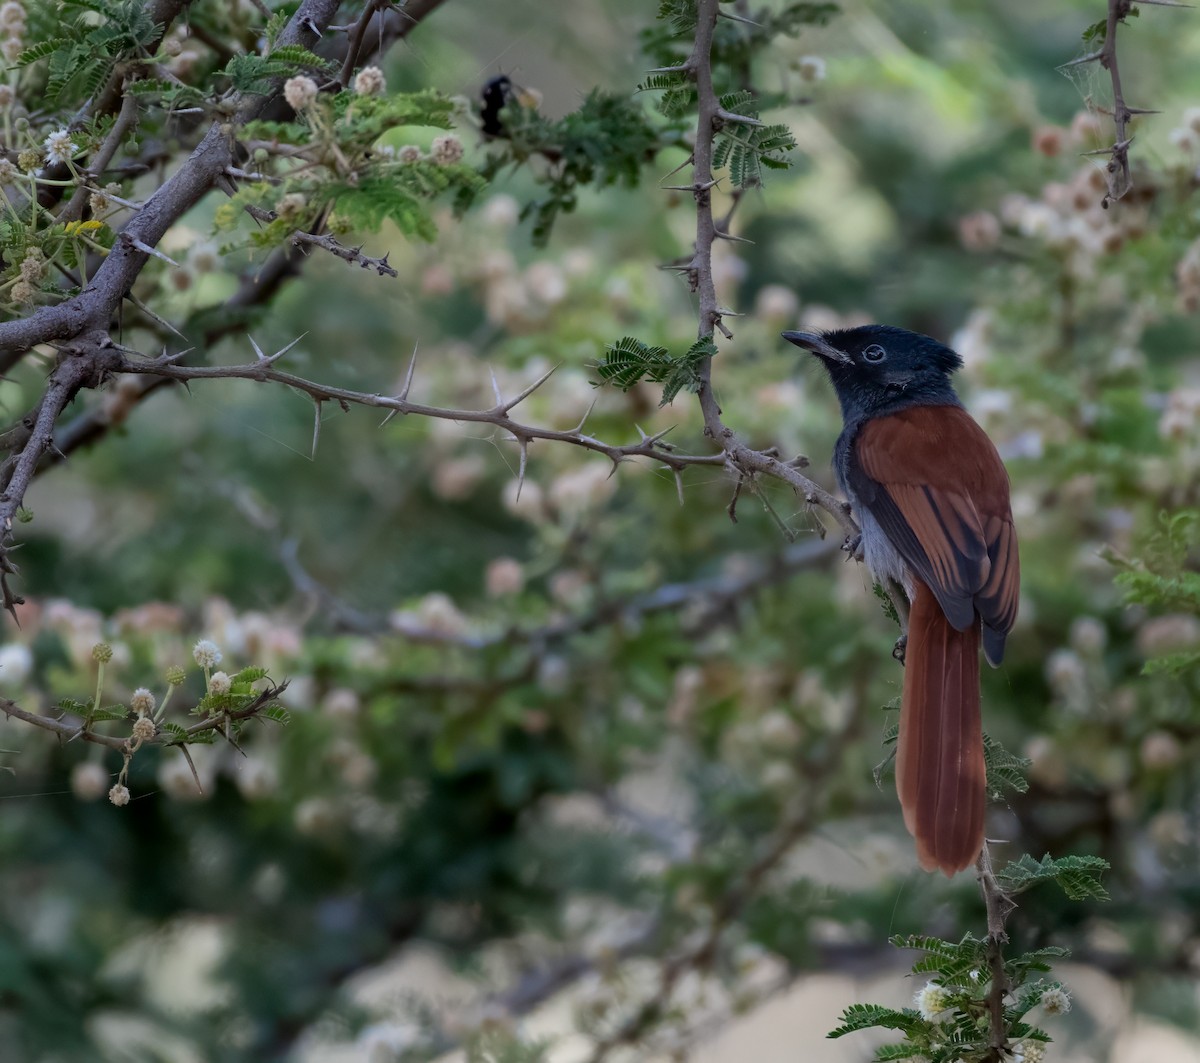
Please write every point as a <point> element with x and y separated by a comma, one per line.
<point>932,497</point>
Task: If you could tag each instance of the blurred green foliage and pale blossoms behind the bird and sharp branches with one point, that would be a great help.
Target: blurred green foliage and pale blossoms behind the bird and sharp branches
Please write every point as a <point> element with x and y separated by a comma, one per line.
<point>539,742</point>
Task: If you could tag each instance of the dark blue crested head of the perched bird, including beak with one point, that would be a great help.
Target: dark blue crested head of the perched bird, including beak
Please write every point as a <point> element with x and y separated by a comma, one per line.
<point>880,369</point>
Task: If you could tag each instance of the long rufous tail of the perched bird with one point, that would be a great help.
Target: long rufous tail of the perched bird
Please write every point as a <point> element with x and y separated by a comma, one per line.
<point>940,771</point>
